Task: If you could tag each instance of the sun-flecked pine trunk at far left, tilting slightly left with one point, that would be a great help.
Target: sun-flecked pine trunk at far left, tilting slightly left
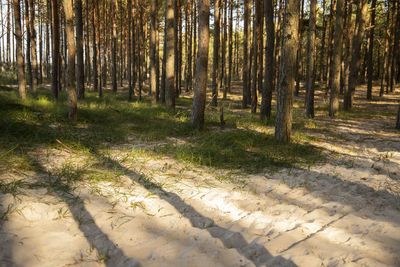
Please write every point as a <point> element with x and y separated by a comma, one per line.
<point>19,53</point>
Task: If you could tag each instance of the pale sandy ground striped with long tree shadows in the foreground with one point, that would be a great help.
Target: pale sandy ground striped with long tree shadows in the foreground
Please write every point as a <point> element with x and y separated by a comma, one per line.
<point>344,212</point>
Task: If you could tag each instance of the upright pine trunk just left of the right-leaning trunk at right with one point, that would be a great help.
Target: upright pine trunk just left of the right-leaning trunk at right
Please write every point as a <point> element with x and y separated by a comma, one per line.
<point>336,59</point>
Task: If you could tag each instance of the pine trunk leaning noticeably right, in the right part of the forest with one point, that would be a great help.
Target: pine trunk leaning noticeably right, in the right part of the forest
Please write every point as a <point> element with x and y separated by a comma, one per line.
<point>362,9</point>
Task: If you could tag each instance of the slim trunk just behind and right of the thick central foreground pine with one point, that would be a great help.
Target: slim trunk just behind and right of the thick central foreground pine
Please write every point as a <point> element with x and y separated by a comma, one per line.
<point>216,52</point>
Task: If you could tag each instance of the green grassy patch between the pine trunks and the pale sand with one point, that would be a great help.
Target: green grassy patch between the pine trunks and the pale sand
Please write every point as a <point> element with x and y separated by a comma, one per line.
<point>245,145</point>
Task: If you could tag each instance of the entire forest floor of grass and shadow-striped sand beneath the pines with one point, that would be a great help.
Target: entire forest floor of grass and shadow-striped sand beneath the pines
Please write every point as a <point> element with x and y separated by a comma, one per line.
<point>131,185</point>
